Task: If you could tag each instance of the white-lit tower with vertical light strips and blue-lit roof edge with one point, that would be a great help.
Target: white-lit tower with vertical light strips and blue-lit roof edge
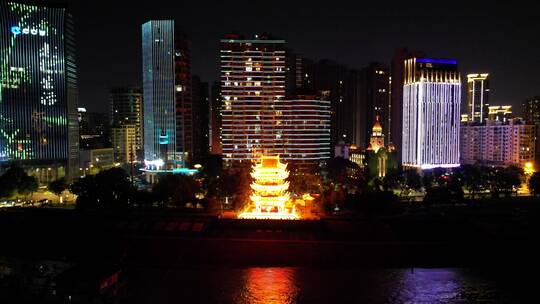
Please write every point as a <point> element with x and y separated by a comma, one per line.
<point>431,113</point>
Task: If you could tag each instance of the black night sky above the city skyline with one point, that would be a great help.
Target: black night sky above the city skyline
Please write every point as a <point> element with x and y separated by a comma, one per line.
<point>484,37</point>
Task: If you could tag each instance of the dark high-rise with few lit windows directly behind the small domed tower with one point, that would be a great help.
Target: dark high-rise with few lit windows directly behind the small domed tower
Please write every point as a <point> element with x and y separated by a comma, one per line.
<point>375,98</point>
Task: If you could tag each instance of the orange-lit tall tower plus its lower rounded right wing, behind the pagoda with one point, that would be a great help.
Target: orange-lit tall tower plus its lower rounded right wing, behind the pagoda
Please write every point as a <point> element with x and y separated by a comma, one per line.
<point>256,117</point>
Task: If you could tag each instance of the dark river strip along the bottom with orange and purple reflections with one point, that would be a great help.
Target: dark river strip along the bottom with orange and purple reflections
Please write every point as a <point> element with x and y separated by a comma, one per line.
<point>275,285</point>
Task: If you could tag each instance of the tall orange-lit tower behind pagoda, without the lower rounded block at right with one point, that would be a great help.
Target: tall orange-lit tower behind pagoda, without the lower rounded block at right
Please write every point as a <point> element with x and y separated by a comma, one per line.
<point>252,83</point>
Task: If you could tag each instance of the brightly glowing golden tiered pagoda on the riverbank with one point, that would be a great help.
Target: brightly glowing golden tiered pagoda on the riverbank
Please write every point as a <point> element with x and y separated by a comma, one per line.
<point>270,196</point>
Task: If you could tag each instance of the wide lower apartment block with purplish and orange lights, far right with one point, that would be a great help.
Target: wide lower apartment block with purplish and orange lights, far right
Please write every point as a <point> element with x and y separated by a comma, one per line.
<point>498,143</point>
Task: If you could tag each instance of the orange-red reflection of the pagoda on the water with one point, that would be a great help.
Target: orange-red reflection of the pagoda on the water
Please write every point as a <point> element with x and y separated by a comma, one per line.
<point>268,285</point>
